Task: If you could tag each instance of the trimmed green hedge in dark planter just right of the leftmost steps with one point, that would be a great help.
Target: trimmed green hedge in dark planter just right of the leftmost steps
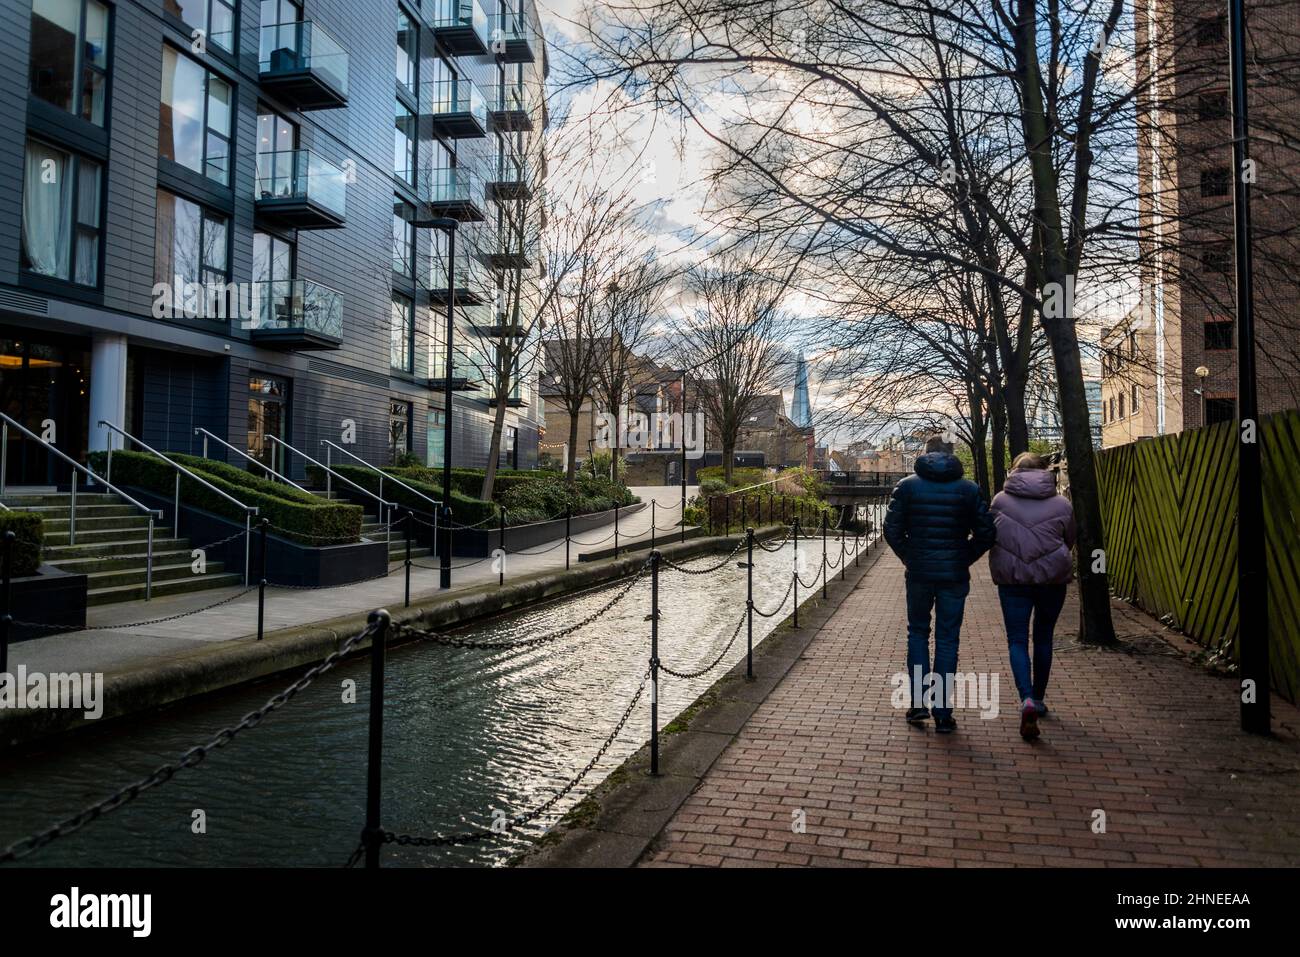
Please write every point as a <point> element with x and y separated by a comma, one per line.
<point>313,521</point>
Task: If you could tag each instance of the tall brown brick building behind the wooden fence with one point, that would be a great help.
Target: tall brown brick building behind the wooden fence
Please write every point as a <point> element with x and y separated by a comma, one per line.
<point>1176,354</point>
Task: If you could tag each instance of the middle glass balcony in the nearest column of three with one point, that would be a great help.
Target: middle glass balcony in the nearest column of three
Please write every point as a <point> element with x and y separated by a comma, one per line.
<point>301,189</point>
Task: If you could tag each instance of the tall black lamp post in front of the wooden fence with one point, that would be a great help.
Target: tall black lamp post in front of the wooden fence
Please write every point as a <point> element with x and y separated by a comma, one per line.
<point>1253,586</point>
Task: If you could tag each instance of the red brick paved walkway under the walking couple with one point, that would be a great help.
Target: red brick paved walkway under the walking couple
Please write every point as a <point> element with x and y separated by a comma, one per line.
<point>1147,738</point>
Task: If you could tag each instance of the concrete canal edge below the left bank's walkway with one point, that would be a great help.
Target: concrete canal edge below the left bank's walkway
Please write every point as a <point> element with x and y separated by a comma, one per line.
<point>224,665</point>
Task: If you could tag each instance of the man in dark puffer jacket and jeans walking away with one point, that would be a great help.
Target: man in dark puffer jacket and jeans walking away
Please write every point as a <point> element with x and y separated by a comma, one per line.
<point>938,525</point>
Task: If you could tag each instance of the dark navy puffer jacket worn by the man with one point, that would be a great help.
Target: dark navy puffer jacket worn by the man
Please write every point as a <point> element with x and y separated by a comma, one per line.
<point>938,522</point>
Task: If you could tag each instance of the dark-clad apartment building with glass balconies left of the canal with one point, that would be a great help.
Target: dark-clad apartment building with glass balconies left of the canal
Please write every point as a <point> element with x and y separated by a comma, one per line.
<point>239,216</point>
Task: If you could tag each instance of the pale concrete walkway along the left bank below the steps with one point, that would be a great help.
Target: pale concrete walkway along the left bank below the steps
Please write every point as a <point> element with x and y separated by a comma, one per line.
<point>114,649</point>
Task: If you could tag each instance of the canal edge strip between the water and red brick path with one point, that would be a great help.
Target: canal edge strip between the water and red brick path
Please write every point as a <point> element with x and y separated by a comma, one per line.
<point>623,816</point>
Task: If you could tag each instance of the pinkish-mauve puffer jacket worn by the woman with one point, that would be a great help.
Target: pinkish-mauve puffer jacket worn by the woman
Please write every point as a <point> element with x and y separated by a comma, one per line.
<point>1035,531</point>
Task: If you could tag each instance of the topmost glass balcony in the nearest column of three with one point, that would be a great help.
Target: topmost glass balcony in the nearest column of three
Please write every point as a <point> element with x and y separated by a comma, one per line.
<point>304,66</point>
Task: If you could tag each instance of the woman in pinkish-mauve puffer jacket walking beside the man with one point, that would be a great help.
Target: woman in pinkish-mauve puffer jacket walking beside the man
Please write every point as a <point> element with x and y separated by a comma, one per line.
<point>1032,565</point>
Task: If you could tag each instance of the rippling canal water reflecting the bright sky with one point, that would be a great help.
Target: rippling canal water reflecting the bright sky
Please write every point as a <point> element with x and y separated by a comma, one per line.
<point>469,734</point>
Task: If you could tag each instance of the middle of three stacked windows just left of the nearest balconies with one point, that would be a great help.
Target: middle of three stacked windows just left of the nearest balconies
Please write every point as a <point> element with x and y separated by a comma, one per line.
<point>194,124</point>
